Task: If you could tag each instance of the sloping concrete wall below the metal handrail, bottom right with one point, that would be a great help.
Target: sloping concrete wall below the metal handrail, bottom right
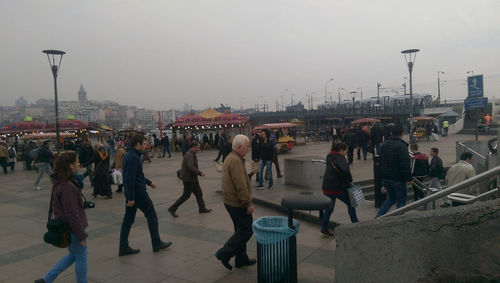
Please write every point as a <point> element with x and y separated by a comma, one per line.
<point>460,244</point>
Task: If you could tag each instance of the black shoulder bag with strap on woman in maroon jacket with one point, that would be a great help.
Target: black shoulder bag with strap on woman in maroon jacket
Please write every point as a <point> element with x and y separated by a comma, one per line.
<point>59,233</point>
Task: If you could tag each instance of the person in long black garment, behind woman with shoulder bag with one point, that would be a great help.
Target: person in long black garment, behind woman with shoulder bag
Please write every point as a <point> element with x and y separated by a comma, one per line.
<point>102,178</point>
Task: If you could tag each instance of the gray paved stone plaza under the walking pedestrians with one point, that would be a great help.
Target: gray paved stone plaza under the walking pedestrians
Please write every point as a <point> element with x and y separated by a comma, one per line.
<point>196,237</point>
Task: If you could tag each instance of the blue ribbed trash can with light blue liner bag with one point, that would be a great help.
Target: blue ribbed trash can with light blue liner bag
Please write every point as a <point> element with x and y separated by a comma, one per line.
<point>276,249</point>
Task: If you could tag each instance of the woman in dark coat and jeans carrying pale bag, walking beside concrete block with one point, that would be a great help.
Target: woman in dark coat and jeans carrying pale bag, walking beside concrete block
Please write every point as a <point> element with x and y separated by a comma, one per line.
<point>336,181</point>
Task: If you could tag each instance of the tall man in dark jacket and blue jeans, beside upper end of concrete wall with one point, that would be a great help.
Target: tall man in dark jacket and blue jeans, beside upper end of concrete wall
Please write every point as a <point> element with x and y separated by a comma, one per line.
<point>395,170</point>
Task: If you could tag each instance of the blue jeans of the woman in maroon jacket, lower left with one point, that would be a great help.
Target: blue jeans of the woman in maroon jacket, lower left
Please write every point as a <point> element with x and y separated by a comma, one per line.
<point>78,255</point>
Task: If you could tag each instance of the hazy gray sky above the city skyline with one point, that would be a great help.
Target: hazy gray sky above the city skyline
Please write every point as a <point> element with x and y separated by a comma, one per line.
<point>161,54</point>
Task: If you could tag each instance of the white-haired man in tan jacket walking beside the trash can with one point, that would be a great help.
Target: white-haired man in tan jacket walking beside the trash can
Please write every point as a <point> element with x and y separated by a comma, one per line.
<point>237,195</point>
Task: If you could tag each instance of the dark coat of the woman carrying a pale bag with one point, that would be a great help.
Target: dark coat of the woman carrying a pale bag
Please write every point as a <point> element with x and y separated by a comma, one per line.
<point>336,179</point>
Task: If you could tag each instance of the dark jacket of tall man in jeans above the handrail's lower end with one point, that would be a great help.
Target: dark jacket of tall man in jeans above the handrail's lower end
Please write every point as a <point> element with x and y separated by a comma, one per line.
<point>395,160</point>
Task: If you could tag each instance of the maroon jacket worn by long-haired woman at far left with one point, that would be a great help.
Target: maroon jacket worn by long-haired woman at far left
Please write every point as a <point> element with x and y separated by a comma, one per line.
<point>67,204</point>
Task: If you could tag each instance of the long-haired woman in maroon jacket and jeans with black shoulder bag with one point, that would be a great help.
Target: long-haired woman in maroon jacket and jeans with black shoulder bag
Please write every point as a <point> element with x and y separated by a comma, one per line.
<point>67,205</point>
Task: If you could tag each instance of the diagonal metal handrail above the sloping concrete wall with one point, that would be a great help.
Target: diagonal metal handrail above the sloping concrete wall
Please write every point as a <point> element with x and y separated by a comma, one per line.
<point>457,187</point>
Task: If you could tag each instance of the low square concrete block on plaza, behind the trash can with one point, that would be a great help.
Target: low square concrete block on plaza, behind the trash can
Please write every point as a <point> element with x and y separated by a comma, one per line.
<point>301,171</point>
